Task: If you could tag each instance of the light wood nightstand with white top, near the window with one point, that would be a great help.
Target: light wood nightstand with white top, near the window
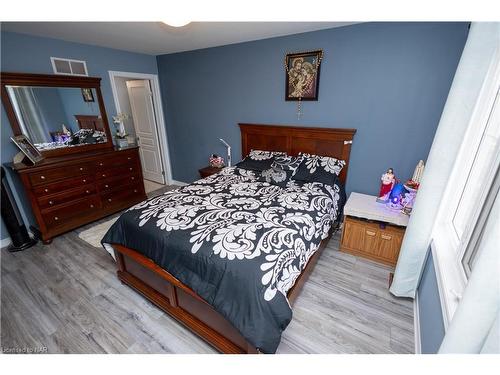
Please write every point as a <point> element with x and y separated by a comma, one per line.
<point>372,230</point>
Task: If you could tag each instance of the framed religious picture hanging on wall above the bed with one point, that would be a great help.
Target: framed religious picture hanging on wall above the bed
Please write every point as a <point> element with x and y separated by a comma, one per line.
<point>302,75</point>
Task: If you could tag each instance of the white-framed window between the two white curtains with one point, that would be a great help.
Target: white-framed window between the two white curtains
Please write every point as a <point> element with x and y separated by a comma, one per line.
<point>472,188</point>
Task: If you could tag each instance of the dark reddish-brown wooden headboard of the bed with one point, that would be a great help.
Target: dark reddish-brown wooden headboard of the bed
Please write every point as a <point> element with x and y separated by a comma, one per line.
<point>294,139</point>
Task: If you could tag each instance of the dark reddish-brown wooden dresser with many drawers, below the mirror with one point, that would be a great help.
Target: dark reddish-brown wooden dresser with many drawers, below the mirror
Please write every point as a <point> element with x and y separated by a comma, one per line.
<point>70,191</point>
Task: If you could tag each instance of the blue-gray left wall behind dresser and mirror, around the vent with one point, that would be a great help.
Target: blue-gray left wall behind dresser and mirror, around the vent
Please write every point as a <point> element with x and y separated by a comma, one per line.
<point>29,54</point>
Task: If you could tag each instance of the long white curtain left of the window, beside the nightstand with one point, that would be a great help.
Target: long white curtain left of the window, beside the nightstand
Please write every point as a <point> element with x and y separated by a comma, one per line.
<point>478,53</point>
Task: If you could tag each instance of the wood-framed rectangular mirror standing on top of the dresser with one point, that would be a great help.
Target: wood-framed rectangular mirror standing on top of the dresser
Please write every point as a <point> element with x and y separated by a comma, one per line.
<point>58,114</point>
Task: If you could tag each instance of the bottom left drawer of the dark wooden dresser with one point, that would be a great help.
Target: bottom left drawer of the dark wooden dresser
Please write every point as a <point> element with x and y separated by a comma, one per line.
<point>59,215</point>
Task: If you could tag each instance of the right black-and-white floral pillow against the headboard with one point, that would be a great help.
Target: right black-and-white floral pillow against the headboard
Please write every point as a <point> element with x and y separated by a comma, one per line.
<point>315,168</point>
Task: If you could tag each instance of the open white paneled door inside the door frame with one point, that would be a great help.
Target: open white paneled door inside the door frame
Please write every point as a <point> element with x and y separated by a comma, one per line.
<point>143,114</point>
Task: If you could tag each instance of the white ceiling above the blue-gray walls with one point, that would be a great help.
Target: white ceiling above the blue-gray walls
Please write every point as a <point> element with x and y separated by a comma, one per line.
<point>156,38</point>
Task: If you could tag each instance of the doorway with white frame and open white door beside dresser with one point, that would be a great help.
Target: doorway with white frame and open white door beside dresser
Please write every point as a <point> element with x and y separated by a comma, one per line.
<point>137,96</point>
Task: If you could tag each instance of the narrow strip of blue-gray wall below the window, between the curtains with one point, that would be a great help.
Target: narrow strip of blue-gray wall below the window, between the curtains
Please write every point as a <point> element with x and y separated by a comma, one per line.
<point>430,313</point>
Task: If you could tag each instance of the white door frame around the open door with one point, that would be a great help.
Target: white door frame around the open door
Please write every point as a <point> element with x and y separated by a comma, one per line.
<point>158,107</point>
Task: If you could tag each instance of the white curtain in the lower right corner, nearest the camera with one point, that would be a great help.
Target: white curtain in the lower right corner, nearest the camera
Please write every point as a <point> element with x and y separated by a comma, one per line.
<point>474,327</point>
